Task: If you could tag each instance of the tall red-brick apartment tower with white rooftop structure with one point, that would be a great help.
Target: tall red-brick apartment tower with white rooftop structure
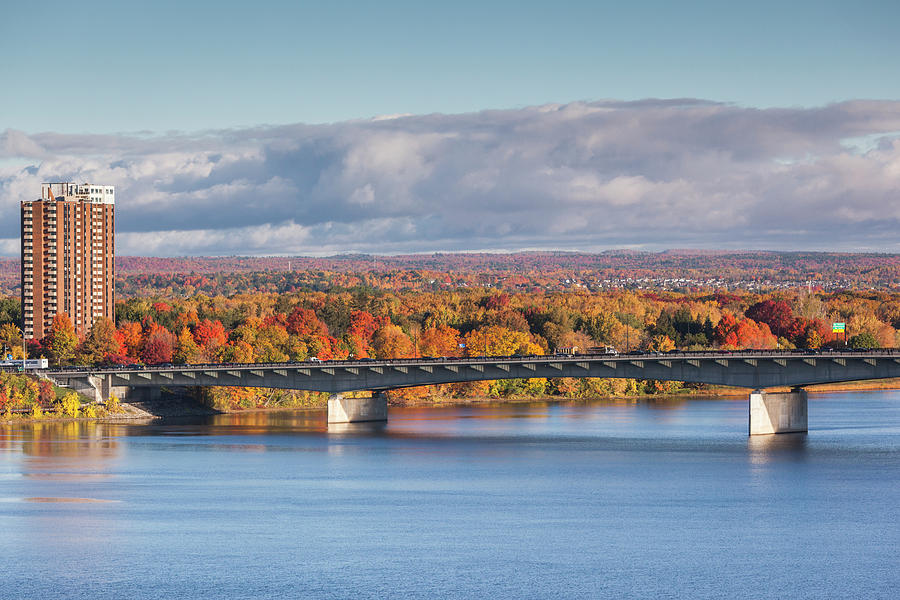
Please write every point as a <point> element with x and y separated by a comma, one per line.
<point>68,248</point>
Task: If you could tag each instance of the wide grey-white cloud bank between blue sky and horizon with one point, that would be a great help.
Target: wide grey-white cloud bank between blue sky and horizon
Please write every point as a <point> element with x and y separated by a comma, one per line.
<point>652,174</point>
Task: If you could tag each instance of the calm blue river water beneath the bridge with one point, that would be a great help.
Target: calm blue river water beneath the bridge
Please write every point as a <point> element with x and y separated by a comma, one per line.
<point>660,500</point>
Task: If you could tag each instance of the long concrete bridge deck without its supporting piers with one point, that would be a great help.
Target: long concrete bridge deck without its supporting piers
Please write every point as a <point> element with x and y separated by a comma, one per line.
<point>750,369</point>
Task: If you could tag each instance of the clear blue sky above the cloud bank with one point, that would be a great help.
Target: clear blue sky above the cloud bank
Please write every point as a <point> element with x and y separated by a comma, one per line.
<point>168,65</point>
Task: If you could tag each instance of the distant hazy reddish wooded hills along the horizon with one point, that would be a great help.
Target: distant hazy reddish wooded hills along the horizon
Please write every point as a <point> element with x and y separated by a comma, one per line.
<point>671,269</point>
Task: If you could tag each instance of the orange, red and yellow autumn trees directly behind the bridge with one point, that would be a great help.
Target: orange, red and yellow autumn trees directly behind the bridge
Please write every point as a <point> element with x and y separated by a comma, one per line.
<point>371,323</point>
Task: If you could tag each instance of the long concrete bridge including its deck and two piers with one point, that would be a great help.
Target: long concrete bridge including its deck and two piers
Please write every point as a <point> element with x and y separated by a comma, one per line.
<point>753,369</point>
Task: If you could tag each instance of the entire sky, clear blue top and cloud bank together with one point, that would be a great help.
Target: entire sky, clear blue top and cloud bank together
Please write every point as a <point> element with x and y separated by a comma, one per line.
<point>319,128</point>
